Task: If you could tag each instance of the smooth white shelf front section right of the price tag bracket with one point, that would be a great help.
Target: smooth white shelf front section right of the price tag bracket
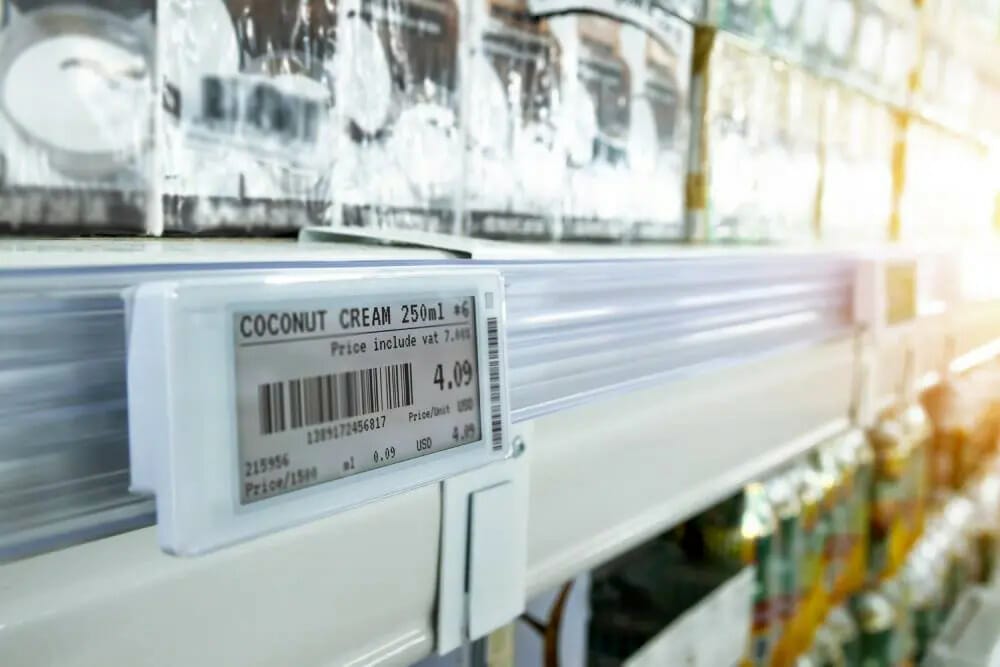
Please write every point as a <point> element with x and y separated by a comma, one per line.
<point>609,476</point>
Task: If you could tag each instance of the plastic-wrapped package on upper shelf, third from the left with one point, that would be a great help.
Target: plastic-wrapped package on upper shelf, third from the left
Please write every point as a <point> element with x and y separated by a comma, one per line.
<point>399,142</point>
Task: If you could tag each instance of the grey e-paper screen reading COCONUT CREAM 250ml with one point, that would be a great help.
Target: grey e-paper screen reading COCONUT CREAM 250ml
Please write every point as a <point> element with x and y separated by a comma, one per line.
<point>329,390</point>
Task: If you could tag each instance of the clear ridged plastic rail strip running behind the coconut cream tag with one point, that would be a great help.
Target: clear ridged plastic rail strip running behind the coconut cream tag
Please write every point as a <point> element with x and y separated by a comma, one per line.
<point>579,330</point>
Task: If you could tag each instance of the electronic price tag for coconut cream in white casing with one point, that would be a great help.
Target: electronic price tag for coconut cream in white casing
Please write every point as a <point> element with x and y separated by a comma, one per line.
<point>260,403</point>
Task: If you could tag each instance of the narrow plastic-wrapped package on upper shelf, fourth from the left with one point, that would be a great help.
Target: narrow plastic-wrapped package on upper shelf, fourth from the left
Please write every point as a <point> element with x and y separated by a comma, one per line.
<point>515,164</point>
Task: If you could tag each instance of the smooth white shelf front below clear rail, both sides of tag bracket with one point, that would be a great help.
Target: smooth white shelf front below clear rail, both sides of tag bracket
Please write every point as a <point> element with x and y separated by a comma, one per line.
<point>597,488</point>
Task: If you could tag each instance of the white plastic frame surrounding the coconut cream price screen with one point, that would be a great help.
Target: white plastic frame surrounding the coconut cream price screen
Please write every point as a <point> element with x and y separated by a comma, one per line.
<point>183,413</point>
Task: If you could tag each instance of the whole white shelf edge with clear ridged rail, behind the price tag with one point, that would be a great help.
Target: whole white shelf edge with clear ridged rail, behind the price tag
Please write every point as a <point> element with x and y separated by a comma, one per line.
<point>647,388</point>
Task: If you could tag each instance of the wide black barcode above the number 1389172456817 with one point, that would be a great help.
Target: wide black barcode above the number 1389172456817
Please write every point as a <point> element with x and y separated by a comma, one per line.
<point>325,398</point>
